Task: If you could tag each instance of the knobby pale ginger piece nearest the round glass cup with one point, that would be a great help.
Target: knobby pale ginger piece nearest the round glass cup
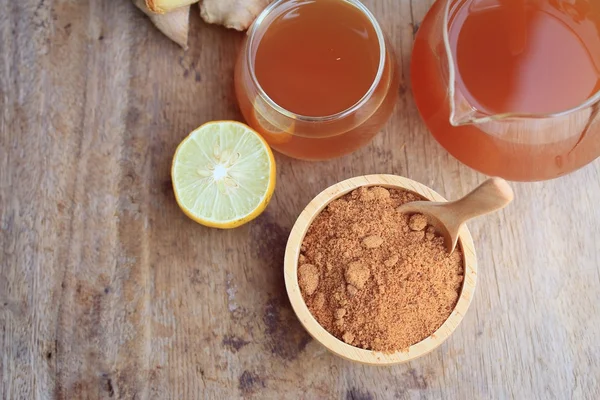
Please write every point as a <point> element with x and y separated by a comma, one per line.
<point>236,14</point>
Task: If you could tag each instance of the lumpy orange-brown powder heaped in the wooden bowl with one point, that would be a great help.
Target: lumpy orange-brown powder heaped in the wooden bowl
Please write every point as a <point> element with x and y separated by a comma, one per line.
<point>374,277</point>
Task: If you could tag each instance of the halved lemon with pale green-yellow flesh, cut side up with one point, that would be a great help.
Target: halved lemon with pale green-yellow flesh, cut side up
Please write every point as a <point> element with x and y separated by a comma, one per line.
<point>223,174</point>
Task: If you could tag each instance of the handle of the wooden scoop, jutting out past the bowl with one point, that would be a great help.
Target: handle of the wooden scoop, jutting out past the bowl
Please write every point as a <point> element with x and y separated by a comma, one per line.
<point>491,195</point>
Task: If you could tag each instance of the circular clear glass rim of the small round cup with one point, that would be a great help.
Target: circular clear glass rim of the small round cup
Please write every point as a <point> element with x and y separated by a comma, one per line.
<point>255,28</point>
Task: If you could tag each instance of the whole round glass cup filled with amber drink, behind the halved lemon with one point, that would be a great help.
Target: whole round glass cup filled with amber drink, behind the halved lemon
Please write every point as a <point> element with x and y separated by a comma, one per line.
<point>316,78</point>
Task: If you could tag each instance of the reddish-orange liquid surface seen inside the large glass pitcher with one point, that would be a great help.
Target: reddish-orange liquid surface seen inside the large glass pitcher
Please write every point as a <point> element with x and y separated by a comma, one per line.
<point>533,64</point>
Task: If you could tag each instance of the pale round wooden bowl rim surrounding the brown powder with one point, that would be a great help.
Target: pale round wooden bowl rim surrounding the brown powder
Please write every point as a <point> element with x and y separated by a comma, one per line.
<point>337,346</point>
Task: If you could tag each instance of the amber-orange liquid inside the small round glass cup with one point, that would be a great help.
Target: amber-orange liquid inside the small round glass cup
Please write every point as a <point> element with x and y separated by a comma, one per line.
<point>317,59</point>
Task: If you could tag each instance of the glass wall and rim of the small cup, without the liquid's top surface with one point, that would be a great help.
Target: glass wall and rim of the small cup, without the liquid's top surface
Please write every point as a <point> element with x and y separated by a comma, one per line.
<point>314,137</point>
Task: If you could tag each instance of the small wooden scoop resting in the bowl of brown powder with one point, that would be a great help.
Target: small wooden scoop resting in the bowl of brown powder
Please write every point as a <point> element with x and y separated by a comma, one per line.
<point>448,218</point>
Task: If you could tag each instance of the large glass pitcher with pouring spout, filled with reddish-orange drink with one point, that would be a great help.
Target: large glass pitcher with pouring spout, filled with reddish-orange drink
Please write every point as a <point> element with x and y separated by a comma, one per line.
<point>511,88</point>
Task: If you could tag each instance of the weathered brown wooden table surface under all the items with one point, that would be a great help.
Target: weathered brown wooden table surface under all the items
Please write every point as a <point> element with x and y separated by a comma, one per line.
<point>108,291</point>
